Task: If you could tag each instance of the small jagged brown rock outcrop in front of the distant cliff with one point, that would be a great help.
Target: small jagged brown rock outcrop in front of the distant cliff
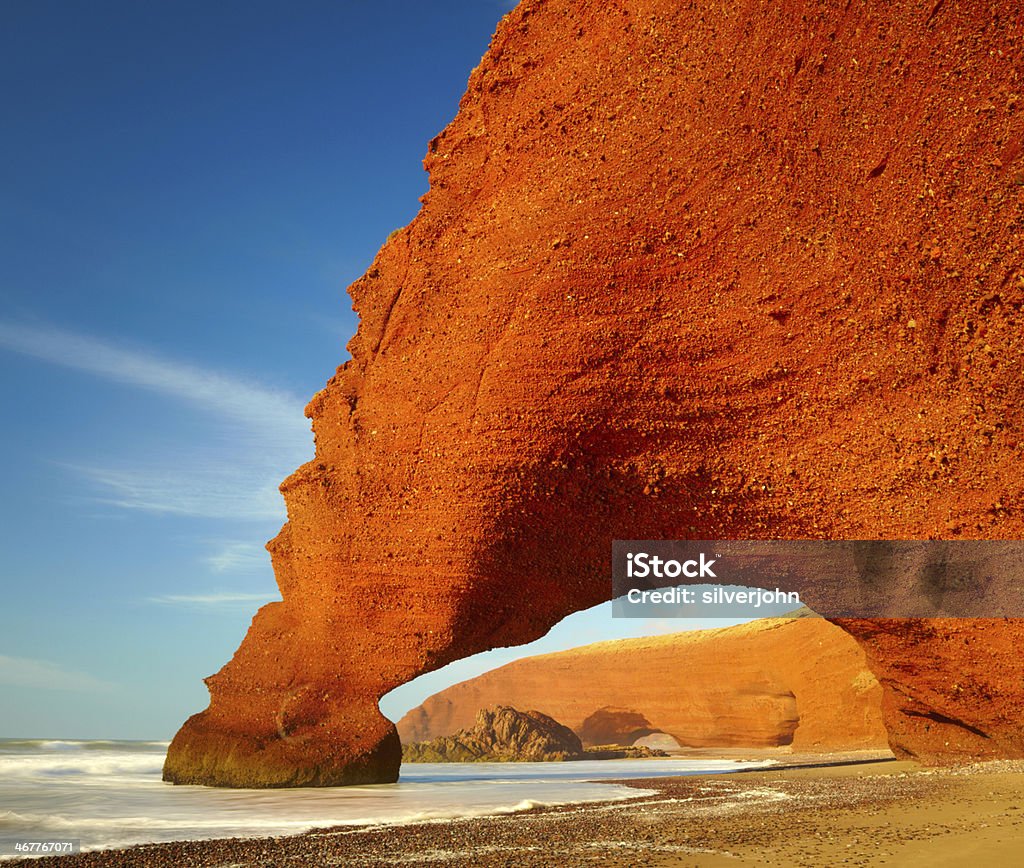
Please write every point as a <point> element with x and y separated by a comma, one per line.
<point>501,734</point>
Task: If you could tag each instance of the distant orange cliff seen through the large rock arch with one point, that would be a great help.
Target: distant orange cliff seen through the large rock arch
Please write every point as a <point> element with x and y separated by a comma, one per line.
<point>776,682</point>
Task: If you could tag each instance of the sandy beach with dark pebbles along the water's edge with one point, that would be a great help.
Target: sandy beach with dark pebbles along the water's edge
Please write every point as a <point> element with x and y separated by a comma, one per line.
<point>806,811</point>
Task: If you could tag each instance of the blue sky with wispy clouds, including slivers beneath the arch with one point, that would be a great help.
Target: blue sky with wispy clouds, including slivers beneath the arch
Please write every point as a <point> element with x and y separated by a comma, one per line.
<point>188,190</point>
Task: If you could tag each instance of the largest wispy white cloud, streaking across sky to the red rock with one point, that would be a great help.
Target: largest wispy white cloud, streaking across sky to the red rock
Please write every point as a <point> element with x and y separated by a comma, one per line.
<point>268,433</point>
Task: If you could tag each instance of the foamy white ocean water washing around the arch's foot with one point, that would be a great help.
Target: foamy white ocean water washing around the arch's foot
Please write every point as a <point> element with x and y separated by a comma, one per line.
<point>110,795</point>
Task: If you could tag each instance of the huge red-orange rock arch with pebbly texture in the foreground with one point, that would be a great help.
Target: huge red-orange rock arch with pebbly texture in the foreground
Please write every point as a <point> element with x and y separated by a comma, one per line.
<point>685,271</point>
